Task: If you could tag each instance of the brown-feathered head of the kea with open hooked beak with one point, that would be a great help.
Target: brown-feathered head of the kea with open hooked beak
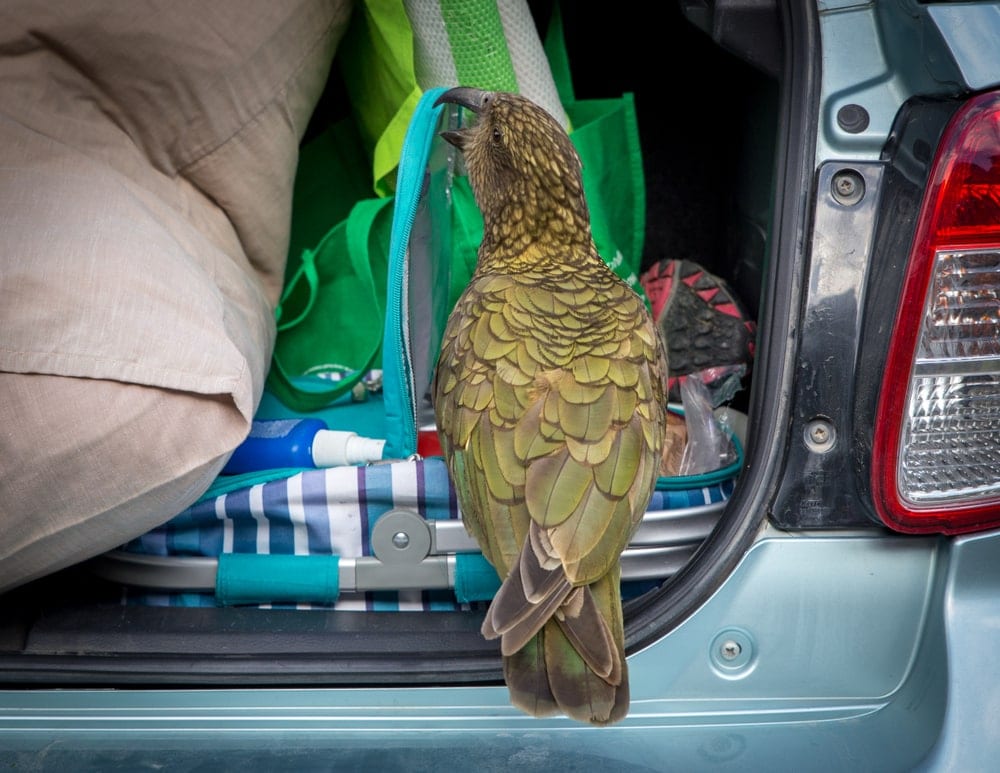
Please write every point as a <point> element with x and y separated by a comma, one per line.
<point>523,168</point>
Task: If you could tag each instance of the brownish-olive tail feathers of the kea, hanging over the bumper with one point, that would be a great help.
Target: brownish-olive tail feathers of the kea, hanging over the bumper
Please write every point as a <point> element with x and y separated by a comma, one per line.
<point>549,675</point>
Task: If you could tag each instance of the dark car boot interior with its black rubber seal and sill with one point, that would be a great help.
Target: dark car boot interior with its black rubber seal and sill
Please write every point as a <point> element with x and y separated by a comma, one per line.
<point>719,134</point>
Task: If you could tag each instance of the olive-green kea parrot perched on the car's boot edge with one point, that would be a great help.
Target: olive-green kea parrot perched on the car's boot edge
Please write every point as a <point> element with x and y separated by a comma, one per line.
<point>549,397</point>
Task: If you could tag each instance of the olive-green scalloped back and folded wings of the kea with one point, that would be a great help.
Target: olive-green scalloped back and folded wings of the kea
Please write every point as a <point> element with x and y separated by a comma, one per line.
<point>550,420</point>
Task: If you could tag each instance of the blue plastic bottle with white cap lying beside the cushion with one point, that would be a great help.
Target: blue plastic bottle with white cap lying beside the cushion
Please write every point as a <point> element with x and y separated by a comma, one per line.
<point>278,443</point>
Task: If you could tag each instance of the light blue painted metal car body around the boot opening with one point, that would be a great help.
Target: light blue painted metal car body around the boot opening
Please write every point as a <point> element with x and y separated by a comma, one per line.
<point>822,650</point>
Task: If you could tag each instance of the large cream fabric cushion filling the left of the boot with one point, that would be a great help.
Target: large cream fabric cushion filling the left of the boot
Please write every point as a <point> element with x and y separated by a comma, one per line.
<point>147,156</point>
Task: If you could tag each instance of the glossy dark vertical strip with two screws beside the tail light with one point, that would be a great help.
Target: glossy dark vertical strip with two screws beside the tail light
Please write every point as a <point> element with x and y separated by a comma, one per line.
<point>817,487</point>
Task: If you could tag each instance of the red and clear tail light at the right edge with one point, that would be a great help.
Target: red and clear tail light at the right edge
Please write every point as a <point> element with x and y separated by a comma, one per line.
<point>936,453</point>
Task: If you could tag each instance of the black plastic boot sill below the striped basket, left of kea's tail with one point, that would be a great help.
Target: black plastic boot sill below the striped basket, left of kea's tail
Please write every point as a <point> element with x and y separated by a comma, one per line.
<point>135,646</point>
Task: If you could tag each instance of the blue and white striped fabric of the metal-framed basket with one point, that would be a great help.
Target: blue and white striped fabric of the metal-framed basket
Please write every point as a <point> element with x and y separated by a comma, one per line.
<point>331,512</point>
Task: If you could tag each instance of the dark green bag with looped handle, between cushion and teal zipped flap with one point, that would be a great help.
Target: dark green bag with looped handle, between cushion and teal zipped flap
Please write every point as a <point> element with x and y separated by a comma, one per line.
<point>335,277</point>
